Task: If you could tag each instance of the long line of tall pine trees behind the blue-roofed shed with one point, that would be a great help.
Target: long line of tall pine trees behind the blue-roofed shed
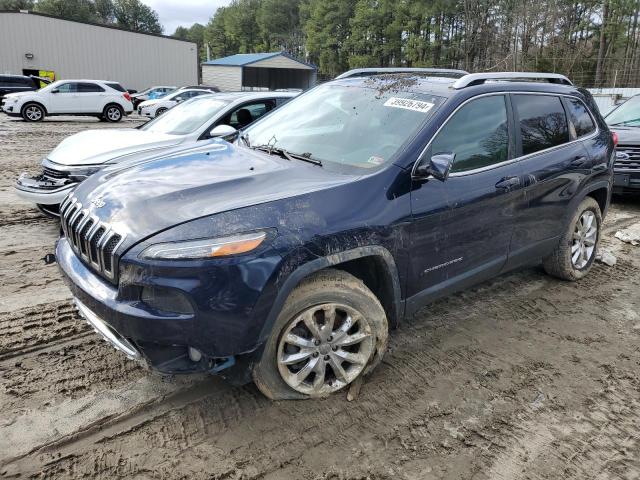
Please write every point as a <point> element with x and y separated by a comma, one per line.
<point>593,42</point>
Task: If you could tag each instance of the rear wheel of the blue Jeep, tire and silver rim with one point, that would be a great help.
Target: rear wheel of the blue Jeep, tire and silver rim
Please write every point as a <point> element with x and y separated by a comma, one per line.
<point>575,253</point>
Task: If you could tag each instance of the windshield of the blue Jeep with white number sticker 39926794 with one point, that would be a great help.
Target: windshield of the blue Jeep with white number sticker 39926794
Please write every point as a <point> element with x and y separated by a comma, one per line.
<point>356,127</point>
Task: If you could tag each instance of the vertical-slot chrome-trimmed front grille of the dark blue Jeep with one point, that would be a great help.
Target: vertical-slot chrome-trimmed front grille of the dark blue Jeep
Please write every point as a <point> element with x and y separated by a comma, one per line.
<point>92,240</point>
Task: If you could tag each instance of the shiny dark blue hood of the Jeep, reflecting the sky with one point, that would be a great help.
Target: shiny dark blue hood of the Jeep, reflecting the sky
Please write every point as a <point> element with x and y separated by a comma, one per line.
<point>145,198</point>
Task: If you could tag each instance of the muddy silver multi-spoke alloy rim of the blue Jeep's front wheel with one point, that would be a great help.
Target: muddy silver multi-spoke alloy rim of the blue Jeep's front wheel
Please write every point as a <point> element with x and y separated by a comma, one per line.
<point>324,349</point>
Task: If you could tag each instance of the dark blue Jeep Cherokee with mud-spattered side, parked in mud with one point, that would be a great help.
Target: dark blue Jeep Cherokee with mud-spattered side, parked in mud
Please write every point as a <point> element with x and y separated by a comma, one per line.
<point>286,256</point>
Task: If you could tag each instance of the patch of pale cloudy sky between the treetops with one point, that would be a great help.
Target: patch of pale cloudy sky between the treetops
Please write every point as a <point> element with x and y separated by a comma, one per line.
<point>175,13</point>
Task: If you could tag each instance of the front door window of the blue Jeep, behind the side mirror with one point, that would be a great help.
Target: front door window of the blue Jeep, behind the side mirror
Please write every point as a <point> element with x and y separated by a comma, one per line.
<point>477,134</point>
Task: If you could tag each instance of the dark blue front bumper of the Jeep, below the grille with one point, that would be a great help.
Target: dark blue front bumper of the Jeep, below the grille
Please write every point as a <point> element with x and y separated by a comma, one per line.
<point>165,341</point>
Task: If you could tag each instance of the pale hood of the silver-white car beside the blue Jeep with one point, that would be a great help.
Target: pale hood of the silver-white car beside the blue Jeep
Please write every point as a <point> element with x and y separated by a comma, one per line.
<point>94,147</point>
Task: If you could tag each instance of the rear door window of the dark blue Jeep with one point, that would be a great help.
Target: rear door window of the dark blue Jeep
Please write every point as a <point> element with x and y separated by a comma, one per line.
<point>542,122</point>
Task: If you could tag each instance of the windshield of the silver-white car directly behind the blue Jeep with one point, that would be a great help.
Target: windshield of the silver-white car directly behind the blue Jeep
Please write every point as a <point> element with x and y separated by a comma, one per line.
<point>186,117</point>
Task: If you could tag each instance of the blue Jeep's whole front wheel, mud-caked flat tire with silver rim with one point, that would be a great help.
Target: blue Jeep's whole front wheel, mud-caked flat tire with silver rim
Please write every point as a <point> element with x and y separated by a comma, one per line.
<point>357,348</point>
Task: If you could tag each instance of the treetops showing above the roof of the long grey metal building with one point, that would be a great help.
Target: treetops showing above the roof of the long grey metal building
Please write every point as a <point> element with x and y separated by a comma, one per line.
<point>128,14</point>
